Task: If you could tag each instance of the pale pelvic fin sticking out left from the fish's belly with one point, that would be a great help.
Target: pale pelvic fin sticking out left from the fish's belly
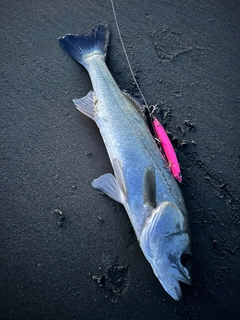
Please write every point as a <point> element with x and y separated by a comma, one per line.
<point>108,184</point>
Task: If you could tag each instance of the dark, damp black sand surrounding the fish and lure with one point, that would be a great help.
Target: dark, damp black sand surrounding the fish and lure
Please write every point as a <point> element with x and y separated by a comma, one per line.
<point>67,252</point>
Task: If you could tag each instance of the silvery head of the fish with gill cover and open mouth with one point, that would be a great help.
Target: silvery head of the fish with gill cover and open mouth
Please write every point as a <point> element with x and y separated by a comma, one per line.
<point>165,243</point>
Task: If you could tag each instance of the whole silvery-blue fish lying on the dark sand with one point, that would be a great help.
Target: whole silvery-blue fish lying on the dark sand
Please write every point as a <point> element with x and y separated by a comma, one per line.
<point>141,182</point>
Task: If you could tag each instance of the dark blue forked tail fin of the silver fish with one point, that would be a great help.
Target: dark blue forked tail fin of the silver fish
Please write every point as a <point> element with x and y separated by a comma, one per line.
<point>80,47</point>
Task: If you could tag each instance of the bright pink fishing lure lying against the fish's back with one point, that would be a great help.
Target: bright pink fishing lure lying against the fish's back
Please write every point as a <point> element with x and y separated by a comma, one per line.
<point>168,149</point>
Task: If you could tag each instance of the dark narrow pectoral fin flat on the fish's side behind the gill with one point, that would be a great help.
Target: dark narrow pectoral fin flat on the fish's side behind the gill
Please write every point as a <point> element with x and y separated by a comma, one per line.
<point>149,187</point>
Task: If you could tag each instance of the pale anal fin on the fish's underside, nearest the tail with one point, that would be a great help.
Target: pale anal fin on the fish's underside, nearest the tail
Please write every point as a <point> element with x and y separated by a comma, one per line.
<point>86,105</point>
